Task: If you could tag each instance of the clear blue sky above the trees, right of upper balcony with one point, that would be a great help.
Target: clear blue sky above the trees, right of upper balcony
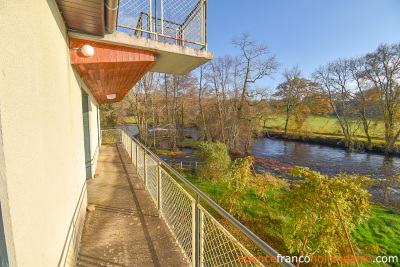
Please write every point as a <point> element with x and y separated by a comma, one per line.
<point>307,33</point>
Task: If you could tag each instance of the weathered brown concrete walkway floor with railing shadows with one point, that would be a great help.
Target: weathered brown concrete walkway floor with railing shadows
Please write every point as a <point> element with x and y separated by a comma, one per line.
<point>124,230</point>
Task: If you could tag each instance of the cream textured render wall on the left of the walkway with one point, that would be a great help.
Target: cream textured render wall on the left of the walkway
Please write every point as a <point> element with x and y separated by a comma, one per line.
<point>42,170</point>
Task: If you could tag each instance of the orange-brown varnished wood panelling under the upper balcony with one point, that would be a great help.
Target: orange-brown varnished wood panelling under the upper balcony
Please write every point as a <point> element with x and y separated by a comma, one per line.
<point>112,69</point>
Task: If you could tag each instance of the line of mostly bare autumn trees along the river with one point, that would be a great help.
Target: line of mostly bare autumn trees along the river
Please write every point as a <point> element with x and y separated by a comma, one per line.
<point>227,102</point>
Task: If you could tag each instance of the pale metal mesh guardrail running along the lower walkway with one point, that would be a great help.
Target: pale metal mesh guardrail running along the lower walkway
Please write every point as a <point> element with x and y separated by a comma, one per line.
<point>202,239</point>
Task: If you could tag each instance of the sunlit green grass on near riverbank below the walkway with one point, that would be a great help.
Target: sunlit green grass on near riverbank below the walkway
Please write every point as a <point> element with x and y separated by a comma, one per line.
<point>382,228</point>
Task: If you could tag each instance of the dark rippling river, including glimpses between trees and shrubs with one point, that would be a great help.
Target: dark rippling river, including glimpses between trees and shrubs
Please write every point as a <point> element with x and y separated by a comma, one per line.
<point>321,158</point>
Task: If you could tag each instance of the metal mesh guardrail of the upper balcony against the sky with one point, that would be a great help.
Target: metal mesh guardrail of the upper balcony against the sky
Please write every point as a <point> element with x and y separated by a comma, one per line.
<point>182,22</point>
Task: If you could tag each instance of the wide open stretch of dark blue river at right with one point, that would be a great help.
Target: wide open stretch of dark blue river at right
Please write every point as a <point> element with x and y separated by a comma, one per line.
<point>325,159</point>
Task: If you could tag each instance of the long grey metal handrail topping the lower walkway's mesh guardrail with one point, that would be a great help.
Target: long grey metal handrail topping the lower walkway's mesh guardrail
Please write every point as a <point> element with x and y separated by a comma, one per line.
<point>224,214</point>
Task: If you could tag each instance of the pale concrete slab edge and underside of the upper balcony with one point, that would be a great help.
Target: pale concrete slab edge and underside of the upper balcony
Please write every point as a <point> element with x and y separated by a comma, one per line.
<point>171,58</point>
